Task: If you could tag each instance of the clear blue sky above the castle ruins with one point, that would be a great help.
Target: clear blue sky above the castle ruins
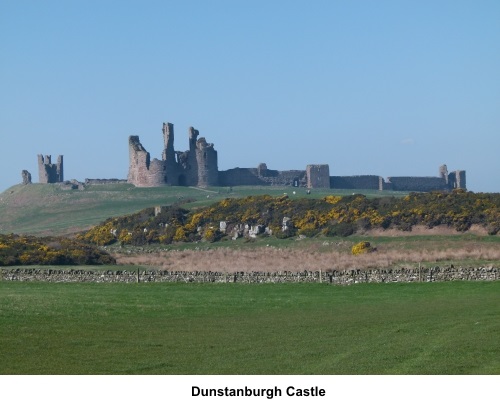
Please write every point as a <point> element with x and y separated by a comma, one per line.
<point>391,88</point>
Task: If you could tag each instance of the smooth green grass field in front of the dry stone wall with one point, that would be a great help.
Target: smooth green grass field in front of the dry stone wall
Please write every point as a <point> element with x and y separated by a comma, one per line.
<point>435,328</point>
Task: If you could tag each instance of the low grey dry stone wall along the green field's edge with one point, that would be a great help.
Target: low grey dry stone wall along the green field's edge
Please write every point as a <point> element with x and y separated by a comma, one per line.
<point>338,277</point>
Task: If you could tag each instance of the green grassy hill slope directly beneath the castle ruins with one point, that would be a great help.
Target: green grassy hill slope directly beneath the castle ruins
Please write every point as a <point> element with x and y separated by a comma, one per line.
<point>46,209</point>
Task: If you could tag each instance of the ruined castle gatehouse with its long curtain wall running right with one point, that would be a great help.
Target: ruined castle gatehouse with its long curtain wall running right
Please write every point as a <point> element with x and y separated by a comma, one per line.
<point>198,166</point>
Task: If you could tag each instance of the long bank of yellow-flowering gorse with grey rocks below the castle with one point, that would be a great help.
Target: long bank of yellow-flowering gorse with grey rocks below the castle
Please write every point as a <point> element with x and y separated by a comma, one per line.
<point>284,217</point>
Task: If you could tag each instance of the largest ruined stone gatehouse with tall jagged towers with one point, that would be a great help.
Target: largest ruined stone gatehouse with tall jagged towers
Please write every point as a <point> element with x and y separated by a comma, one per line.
<point>194,167</point>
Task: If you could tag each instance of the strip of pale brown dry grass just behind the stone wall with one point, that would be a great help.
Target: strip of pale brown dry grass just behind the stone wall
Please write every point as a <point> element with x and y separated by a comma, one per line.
<point>335,256</point>
